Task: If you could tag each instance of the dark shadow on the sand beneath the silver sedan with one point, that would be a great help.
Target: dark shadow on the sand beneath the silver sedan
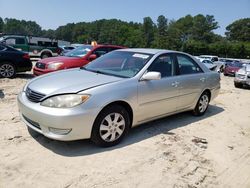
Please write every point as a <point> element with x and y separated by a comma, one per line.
<point>137,134</point>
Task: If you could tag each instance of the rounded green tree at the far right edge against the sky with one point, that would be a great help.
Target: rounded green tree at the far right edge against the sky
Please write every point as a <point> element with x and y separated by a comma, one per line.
<point>239,30</point>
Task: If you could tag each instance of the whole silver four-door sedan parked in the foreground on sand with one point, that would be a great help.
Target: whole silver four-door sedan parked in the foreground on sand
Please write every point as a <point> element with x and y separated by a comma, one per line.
<point>119,90</point>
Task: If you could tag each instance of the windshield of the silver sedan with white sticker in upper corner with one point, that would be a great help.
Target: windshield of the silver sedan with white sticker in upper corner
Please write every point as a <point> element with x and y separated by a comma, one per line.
<point>119,63</point>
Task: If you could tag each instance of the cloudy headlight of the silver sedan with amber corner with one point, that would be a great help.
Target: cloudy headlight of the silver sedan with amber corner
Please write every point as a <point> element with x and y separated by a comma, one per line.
<point>65,101</point>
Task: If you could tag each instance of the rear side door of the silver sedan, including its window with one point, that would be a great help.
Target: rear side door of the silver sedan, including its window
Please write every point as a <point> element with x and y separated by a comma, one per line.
<point>191,81</point>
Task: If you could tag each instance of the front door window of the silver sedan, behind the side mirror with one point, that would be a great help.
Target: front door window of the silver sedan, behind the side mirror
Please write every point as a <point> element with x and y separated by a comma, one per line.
<point>163,64</point>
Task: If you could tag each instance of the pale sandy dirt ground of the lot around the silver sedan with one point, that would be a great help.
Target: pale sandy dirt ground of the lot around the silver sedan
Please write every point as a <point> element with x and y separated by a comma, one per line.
<point>164,153</point>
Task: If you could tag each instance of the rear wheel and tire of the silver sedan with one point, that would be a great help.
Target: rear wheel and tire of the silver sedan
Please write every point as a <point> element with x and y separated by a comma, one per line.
<point>200,107</point>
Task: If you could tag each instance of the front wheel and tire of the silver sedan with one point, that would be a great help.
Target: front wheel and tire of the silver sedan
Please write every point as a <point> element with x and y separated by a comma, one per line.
<point>97,135</point>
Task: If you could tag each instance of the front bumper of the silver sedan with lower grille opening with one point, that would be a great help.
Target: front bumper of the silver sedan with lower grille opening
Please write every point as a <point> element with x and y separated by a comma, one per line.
<point>39,118</point>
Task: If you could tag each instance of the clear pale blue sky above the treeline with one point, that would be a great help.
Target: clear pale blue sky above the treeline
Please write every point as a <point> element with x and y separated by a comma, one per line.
<point>50,14</point>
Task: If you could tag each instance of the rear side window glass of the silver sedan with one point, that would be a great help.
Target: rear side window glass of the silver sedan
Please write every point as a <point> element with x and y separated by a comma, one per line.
<point>187,65</point>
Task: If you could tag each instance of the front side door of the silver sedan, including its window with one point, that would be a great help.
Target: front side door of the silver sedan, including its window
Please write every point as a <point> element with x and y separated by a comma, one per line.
<point>158,97</point>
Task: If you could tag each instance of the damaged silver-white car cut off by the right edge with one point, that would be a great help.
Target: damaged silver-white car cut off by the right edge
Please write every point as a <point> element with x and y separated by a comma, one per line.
<point>242,76</point>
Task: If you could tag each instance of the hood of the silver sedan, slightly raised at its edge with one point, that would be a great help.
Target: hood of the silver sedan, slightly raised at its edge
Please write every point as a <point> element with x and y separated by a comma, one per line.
<point>69,81</point>
